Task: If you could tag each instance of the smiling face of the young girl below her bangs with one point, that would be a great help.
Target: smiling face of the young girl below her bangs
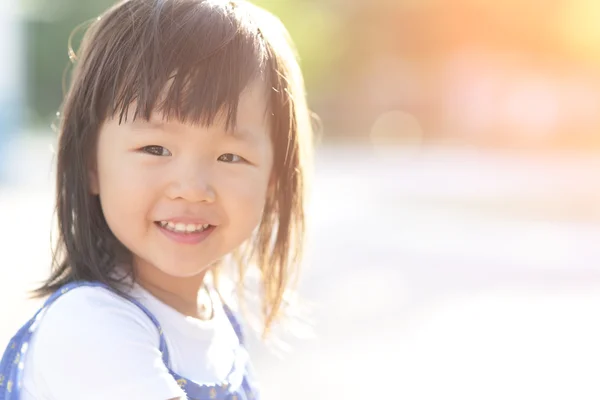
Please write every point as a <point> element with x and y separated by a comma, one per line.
<point>160,183</point>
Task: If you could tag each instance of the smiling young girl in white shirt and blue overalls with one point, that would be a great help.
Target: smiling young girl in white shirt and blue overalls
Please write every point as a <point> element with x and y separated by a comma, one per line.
<point>183,145</point>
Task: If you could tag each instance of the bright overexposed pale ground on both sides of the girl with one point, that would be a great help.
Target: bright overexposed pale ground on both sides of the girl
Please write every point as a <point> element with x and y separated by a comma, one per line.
<point>439,273</point>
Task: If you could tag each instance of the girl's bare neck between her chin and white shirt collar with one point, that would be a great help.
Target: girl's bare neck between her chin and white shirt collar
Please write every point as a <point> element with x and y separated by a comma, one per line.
<point>181,293</point>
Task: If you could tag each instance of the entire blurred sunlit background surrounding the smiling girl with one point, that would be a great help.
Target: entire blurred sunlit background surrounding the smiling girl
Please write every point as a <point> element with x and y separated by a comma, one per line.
<point>455,217</point>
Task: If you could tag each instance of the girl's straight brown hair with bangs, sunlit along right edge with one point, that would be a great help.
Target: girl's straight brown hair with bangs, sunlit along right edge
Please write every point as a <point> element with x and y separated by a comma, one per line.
<point>205,52</point>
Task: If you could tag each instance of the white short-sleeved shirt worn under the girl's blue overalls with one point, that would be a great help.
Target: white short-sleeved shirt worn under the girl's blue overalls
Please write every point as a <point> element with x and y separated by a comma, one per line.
<point>93,344</point>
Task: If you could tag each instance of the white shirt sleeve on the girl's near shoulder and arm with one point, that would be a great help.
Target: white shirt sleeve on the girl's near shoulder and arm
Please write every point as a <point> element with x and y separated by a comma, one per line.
<point>94,344</point>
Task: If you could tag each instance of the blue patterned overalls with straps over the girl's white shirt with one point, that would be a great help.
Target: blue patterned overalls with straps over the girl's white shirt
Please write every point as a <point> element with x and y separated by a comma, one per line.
<point>238,384</point>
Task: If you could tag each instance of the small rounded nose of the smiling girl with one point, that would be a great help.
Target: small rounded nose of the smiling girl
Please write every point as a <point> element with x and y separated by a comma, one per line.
<point>193,184</point>
